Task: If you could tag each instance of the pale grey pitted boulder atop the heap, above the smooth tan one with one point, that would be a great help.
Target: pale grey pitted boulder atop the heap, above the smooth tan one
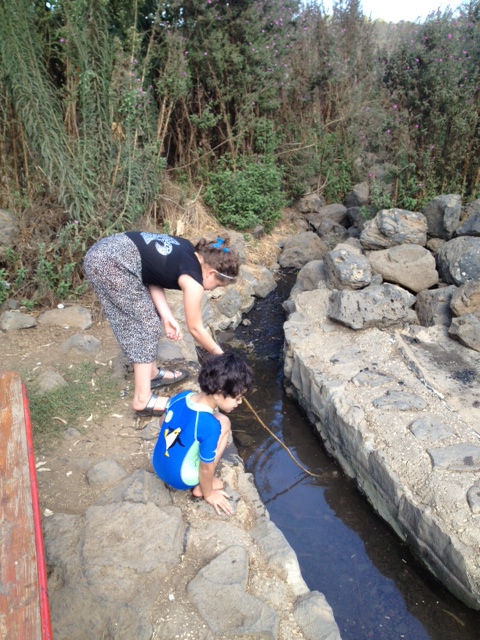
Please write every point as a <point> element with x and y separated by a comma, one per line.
<point>394,226</point>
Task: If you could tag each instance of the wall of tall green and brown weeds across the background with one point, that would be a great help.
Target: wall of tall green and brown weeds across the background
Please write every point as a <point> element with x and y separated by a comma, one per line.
<point>99,99</point>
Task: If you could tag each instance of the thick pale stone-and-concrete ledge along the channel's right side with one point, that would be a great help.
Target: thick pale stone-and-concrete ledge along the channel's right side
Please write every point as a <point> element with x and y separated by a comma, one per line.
<point>365,392</point>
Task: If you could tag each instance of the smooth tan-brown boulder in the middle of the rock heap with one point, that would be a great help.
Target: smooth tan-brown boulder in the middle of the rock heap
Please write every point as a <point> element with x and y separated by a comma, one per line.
<point>408,265</point>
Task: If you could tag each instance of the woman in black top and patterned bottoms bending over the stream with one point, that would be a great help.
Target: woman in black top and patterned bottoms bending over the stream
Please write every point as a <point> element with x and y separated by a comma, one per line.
<point>129,273</point>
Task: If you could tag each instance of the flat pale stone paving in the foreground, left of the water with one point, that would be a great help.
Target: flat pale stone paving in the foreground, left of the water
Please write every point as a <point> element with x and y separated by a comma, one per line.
<point>145,562</point>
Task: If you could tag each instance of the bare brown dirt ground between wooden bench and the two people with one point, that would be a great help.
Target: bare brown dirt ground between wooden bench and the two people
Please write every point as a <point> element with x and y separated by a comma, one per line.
<point>113,432</point>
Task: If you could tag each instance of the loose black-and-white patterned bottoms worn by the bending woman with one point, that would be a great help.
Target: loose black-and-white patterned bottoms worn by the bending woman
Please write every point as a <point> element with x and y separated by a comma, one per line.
<point>114,269</point>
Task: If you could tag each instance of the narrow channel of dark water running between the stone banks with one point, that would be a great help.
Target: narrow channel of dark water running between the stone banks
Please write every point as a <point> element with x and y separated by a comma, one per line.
<point>376,588</point>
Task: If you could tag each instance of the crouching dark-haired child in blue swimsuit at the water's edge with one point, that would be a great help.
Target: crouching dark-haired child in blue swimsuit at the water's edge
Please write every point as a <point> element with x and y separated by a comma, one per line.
<point>194,433</point>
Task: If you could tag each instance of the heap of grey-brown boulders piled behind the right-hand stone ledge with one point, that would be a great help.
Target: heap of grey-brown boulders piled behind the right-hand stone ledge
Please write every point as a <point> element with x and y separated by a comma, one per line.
<point>398,267</point>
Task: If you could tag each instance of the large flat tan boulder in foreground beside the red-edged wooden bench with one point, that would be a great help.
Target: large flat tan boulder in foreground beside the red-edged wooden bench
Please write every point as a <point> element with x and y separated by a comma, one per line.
<point>103,563</point>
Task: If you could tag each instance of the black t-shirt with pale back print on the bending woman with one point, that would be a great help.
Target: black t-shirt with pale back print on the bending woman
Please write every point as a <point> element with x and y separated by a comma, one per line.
<point>165,259</point>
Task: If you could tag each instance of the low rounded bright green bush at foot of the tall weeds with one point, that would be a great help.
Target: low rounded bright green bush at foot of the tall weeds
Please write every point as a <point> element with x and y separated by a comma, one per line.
<point>247,196</point>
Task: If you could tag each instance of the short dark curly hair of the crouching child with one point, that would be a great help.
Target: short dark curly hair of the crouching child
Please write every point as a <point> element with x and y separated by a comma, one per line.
<point>227,374</point>
